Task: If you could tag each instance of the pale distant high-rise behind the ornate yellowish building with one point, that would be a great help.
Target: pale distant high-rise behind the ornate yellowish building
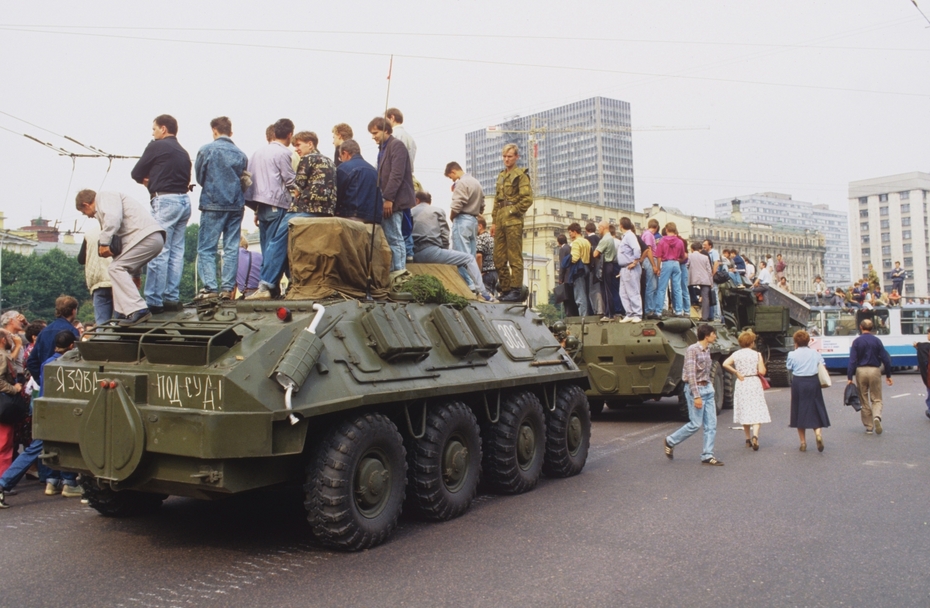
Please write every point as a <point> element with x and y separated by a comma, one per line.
<point>777,209</point>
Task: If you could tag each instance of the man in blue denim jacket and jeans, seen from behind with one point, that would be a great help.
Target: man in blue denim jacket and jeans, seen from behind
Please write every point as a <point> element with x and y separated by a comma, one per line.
<point>218,168</point>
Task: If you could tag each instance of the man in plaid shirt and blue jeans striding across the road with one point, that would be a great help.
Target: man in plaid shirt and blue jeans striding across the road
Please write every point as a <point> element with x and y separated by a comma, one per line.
<point>699,391</point>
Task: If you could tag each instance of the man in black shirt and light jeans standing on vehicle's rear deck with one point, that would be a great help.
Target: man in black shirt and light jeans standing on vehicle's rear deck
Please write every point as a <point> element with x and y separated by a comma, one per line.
<point>165,169</point>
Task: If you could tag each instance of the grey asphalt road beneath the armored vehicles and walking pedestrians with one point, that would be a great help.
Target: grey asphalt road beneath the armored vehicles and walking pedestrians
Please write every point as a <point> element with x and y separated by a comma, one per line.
<point>777,527</point>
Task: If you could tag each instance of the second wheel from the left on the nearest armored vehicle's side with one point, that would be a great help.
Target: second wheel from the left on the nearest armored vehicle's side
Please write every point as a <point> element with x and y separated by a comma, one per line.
<point>444,466</point>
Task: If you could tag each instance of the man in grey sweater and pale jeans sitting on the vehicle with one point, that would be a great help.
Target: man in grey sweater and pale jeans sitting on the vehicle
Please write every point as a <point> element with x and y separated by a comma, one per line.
<point>431,243</point>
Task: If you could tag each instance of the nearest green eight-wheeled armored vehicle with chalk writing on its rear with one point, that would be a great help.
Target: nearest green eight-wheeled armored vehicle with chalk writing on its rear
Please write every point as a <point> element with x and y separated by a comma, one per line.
<point>368,404</point>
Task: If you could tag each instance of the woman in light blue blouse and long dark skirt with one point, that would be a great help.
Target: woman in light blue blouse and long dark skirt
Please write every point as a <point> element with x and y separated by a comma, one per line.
<point>808,411</point>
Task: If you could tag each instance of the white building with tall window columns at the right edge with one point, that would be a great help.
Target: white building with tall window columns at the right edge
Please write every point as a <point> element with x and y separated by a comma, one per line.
<point>889,221</point>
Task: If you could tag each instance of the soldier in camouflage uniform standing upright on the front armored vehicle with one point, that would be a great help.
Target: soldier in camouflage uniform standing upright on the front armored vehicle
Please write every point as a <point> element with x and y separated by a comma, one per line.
<point>513,199</point>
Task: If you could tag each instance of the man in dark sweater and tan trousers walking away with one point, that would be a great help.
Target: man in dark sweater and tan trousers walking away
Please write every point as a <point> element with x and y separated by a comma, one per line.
<point>866,354</point>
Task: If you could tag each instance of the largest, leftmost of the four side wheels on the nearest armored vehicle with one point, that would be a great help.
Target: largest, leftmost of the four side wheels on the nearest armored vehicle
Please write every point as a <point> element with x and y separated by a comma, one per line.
<point>355,484</point>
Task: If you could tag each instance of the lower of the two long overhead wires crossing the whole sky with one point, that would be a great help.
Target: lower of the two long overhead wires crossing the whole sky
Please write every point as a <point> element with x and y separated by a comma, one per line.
<point>476,61</point>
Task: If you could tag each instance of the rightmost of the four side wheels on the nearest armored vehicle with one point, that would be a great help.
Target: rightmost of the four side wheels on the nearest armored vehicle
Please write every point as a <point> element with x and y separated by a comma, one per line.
<point>568,433</point>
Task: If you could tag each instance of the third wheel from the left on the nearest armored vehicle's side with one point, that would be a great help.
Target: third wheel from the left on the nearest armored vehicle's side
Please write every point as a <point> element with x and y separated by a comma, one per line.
<point>514,447</point>
